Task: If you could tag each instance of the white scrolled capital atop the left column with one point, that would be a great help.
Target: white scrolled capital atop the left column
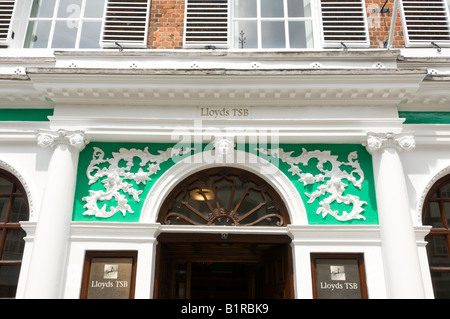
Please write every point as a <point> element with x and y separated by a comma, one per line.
<point>76,139</point>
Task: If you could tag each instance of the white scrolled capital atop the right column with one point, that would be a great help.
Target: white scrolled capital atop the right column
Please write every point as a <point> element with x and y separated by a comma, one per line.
<point>400,141</point>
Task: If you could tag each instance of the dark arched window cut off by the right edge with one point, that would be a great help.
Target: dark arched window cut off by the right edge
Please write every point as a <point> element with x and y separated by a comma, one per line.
<point>436,212</point>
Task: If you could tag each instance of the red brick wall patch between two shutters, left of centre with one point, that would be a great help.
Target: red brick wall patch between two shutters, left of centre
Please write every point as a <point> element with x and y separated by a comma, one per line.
<point>166,24</point>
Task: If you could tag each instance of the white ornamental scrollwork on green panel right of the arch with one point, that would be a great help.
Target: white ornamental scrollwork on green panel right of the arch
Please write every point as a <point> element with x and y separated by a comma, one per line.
<point>333,187</point>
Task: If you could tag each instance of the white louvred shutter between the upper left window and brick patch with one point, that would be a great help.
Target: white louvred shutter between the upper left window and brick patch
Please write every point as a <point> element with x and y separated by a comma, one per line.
<point>125,24</point>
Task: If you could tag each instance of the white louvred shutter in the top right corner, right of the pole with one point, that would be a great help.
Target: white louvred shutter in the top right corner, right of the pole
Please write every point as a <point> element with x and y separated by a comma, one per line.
<point>425,21</point>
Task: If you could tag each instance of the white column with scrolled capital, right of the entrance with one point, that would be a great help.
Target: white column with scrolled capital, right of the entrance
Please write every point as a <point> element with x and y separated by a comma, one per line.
<point>400,253</point>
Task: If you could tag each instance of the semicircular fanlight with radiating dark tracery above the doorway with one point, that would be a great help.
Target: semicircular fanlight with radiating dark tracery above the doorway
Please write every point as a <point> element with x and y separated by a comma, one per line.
<point>224,196</point>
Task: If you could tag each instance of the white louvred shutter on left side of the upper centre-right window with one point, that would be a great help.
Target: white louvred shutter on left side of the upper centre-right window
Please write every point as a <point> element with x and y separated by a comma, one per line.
<point>206,23</point>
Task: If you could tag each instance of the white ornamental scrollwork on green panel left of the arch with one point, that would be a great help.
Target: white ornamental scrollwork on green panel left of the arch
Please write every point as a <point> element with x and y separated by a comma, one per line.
<point>114,176</point>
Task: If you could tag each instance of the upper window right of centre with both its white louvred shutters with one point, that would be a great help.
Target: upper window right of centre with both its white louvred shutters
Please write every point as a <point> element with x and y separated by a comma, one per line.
<point>276,24</point>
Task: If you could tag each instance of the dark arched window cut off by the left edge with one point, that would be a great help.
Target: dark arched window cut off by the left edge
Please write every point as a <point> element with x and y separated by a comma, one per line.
<point>13,208</point>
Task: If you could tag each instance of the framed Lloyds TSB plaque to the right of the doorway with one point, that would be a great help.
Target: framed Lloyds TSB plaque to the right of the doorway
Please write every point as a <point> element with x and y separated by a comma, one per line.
<point>338,276</point>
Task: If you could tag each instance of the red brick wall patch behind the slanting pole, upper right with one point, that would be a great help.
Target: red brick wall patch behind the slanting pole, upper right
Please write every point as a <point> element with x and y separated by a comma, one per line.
<point>380,24</point>
